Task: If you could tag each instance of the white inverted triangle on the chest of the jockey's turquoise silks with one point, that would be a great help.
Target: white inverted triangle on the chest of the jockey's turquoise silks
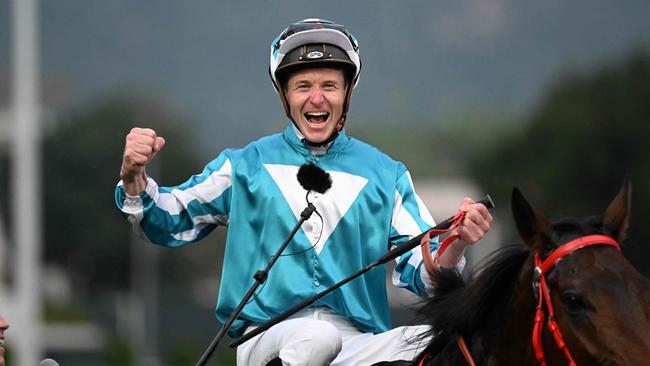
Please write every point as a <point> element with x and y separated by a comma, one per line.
<point>332,205</point>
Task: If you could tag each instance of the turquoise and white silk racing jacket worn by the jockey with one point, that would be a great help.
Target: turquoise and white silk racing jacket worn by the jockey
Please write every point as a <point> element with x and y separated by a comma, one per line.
<point>255,193</point>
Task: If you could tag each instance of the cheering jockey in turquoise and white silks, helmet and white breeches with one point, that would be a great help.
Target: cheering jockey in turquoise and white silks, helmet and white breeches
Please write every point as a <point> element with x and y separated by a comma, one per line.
<point>253,191</point>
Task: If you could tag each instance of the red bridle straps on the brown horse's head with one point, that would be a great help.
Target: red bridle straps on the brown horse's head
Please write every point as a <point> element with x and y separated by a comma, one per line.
<point>543,296</point>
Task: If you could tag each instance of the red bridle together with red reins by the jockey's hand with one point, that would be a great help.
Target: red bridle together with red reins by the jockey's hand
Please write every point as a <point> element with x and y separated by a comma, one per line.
<point>540,289</point>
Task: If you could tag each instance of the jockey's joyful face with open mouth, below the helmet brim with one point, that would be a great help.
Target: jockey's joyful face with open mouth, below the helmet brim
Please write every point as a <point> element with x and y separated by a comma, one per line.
<point>316,98</point>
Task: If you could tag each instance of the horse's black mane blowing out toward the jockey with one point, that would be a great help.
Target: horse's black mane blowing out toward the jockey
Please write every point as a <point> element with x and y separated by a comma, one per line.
<point>469,309</point>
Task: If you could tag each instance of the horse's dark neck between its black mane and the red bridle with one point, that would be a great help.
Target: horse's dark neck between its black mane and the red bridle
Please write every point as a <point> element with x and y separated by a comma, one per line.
<point>511,343</point>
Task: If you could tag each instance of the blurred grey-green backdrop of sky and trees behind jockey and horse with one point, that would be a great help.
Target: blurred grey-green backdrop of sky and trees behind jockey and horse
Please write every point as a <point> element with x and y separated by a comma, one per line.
<point>552,97</point>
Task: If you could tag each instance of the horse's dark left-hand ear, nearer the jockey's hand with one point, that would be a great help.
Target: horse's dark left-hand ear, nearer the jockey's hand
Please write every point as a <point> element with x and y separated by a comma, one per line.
<point>533,227</point>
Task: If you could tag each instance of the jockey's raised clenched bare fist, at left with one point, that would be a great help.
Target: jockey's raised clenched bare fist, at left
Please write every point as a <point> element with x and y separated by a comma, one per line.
<point>141,146</point>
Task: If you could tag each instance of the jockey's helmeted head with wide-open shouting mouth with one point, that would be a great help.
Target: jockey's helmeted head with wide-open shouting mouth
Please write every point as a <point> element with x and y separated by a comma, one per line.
<point>317,52</point>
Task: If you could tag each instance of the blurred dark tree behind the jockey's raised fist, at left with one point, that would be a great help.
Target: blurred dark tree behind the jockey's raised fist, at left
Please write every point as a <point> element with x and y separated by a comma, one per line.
<point>81,160</point>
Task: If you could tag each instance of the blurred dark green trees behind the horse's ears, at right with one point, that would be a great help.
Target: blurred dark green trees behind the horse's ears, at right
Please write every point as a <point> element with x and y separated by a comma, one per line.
<point>590,131</point>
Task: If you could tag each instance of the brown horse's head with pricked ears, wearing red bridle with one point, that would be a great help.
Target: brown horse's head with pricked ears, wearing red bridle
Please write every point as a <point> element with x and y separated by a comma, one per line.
<point>601,302</point>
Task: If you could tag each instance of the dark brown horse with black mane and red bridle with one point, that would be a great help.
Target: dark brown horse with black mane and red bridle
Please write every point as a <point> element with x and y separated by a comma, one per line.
<point>601,303</point>
